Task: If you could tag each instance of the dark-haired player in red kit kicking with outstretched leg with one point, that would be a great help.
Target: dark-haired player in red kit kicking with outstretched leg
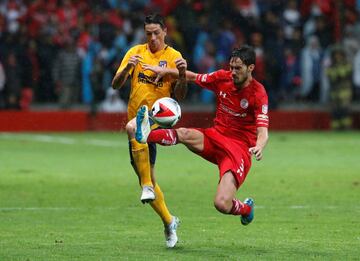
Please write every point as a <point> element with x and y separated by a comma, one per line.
<point>240,128</point>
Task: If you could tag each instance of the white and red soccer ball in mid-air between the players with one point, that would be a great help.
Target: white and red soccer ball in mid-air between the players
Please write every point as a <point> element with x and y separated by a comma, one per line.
<point>165,112</point>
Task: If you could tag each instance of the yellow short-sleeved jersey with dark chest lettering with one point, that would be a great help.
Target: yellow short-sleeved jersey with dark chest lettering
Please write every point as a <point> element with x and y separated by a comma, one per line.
<point>143,89</point>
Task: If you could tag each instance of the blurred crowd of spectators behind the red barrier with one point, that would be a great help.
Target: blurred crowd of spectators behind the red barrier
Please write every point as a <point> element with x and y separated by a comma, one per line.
<point>66,52</point>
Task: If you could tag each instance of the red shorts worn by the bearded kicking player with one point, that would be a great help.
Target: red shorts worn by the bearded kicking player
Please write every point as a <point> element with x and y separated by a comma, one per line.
<point>228,153</point>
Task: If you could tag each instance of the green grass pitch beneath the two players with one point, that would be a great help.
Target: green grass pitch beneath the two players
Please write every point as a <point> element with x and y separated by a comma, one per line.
<point>75,197</point>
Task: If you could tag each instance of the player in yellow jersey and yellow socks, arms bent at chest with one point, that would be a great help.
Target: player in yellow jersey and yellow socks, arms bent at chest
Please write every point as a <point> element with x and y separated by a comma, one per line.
<point>146,87</point>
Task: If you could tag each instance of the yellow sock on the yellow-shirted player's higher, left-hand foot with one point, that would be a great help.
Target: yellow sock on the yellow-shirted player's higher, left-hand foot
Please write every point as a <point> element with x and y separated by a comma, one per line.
<point>140,153</point>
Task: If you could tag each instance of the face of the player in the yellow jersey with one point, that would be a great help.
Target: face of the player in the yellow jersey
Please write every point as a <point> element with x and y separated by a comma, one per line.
<point>155,36</point>
